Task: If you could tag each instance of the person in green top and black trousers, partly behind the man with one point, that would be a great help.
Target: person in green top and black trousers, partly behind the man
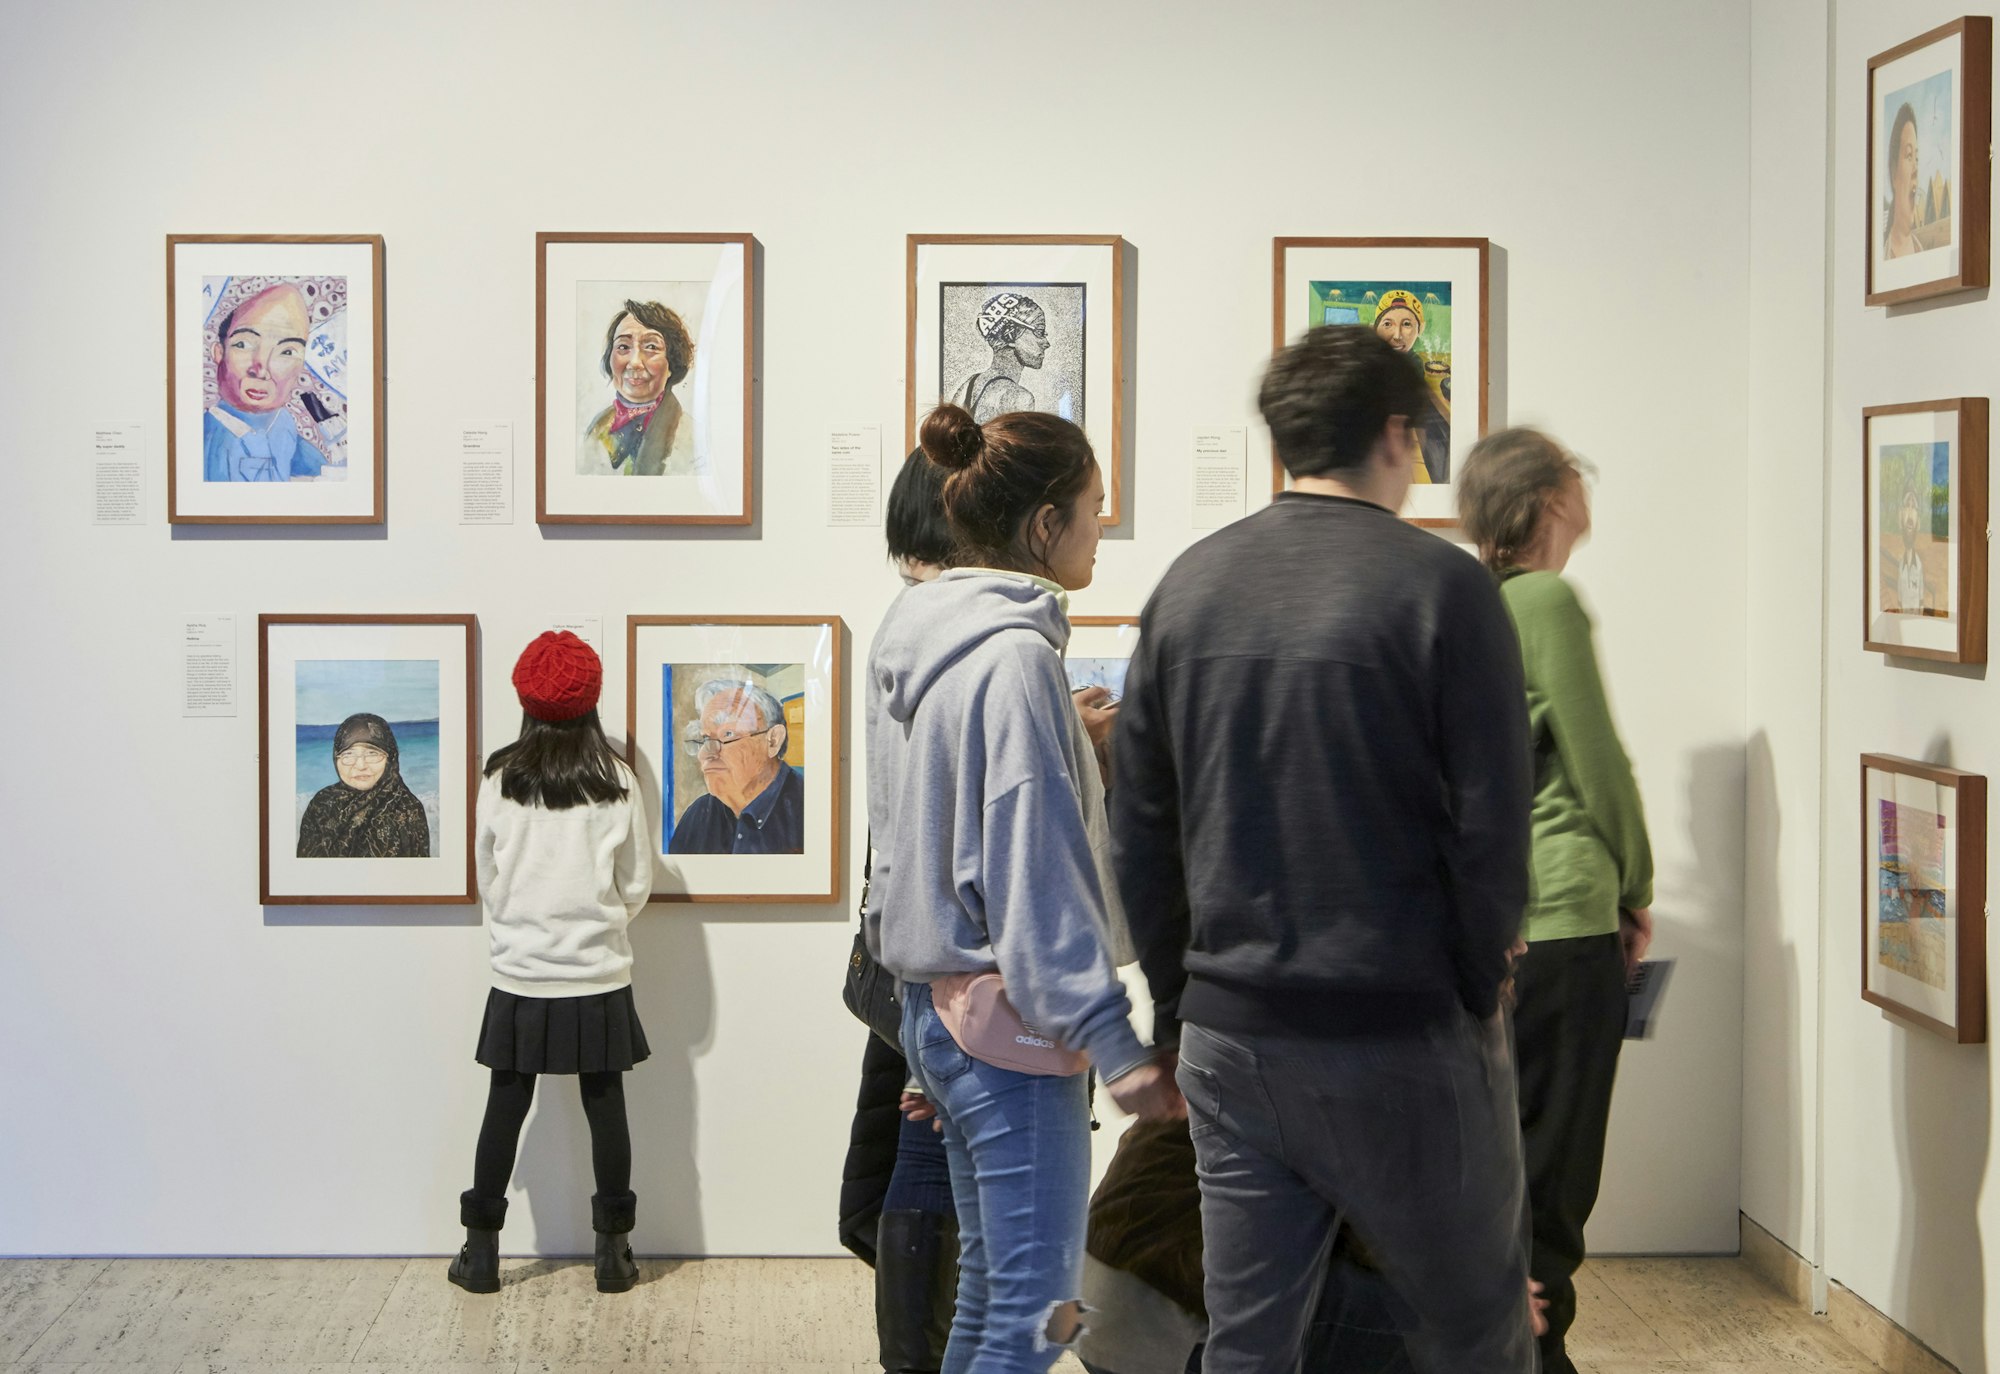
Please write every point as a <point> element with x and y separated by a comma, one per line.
<point>1525,505</point>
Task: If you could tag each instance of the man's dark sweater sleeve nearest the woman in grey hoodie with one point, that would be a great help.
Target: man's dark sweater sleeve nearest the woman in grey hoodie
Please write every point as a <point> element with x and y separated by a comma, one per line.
<point>1147,841</point>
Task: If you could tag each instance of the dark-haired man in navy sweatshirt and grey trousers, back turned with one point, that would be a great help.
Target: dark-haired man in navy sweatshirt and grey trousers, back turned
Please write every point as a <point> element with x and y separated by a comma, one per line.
<point>1321,823</point>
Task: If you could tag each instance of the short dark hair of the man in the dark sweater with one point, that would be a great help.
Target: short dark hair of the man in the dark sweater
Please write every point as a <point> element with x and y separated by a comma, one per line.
<point>1329,397</point>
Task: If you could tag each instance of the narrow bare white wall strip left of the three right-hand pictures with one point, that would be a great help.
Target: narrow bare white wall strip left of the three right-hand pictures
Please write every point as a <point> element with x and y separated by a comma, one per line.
<point>1789,131</point>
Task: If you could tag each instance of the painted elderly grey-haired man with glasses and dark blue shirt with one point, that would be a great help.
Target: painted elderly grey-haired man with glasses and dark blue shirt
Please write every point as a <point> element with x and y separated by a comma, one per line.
<point>755,801</point>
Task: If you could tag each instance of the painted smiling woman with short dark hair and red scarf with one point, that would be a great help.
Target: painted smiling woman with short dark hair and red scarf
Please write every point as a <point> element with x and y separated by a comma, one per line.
<point>647,353</point>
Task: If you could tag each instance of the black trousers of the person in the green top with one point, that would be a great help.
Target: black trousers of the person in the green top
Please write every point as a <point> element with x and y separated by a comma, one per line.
<point>1569,1025</point>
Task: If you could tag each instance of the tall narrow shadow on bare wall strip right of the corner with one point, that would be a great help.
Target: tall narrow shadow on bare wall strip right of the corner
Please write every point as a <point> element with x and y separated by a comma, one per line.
<point>1773,1009</point>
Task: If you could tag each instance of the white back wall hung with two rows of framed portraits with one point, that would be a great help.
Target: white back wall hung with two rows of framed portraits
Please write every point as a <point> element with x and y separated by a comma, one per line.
<point>191,1073</point>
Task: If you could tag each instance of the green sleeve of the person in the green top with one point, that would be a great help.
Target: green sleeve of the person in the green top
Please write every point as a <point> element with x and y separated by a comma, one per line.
<point>1563,665</point>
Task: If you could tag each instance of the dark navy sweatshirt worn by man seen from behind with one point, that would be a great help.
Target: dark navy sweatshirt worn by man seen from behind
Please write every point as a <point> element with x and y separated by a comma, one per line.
<point>1323,779</point>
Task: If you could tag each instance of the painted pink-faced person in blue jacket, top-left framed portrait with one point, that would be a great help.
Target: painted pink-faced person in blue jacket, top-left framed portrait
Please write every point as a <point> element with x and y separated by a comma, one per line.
<point>259,357</point>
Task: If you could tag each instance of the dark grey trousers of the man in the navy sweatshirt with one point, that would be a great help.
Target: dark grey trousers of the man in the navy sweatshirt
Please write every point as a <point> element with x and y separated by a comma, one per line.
<point>1415,1141</point>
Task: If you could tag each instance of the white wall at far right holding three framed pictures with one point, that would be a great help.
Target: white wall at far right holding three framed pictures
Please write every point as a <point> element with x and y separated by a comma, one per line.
<point>1913,1215</point>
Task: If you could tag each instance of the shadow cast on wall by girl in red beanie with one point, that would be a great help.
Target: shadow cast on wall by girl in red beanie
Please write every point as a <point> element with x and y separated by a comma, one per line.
<point>677,1003</point>
